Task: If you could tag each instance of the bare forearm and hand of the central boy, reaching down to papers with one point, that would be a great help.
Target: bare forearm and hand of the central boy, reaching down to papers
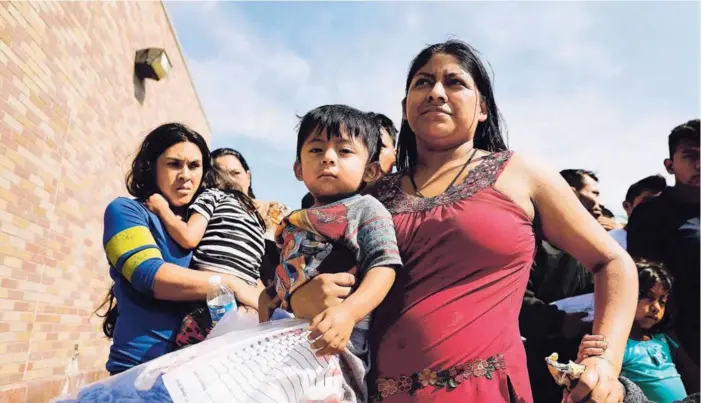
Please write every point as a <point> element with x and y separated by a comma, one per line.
<point>336,323</point>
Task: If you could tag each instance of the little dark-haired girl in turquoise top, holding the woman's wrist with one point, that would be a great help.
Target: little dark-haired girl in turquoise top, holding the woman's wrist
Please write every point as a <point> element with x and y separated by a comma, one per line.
<point>650,354</point>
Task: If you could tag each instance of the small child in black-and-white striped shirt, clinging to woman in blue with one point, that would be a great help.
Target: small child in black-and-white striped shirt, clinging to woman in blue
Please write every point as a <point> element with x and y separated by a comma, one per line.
<point>226,231</point>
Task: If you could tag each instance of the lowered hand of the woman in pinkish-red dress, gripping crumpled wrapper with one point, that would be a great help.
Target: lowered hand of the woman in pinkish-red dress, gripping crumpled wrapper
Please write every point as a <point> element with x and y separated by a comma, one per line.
<point>598,384</point>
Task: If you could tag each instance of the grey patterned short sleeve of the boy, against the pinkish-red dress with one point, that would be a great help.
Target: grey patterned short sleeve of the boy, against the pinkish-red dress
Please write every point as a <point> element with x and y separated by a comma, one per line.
<point>371,231</point>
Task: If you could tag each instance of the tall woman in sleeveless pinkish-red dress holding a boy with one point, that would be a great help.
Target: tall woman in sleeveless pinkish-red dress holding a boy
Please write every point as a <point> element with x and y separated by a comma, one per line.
<point>467,213</point>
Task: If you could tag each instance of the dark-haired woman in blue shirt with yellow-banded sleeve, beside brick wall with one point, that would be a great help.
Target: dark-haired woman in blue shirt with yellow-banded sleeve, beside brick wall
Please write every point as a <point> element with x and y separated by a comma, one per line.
<point>149,269</point>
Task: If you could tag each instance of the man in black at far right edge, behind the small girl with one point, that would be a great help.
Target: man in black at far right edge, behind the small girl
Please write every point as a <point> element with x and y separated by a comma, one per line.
<point>665,229</point>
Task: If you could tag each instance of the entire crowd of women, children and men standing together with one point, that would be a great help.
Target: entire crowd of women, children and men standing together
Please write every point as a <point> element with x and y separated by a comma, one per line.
<point>434,282</point>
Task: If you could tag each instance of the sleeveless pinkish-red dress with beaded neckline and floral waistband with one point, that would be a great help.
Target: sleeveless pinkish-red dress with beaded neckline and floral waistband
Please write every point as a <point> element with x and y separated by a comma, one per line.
<point>448,330</point>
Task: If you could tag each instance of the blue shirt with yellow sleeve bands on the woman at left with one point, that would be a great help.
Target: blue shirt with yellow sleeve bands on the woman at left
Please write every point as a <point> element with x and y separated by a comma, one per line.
<point>137,245</point>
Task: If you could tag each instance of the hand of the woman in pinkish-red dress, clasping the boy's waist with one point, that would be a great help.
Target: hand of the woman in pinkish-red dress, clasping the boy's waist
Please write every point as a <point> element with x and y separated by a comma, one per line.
<point>321,293</point>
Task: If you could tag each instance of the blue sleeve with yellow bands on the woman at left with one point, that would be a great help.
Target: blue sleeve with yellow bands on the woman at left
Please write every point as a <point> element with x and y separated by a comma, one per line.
<point>129,245</point>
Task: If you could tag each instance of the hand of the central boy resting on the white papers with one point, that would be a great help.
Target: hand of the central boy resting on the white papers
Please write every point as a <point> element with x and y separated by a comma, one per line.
<point>335,326</point>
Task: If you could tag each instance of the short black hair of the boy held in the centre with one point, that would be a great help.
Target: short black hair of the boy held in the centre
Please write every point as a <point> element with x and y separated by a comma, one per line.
<point>333,119</point>
